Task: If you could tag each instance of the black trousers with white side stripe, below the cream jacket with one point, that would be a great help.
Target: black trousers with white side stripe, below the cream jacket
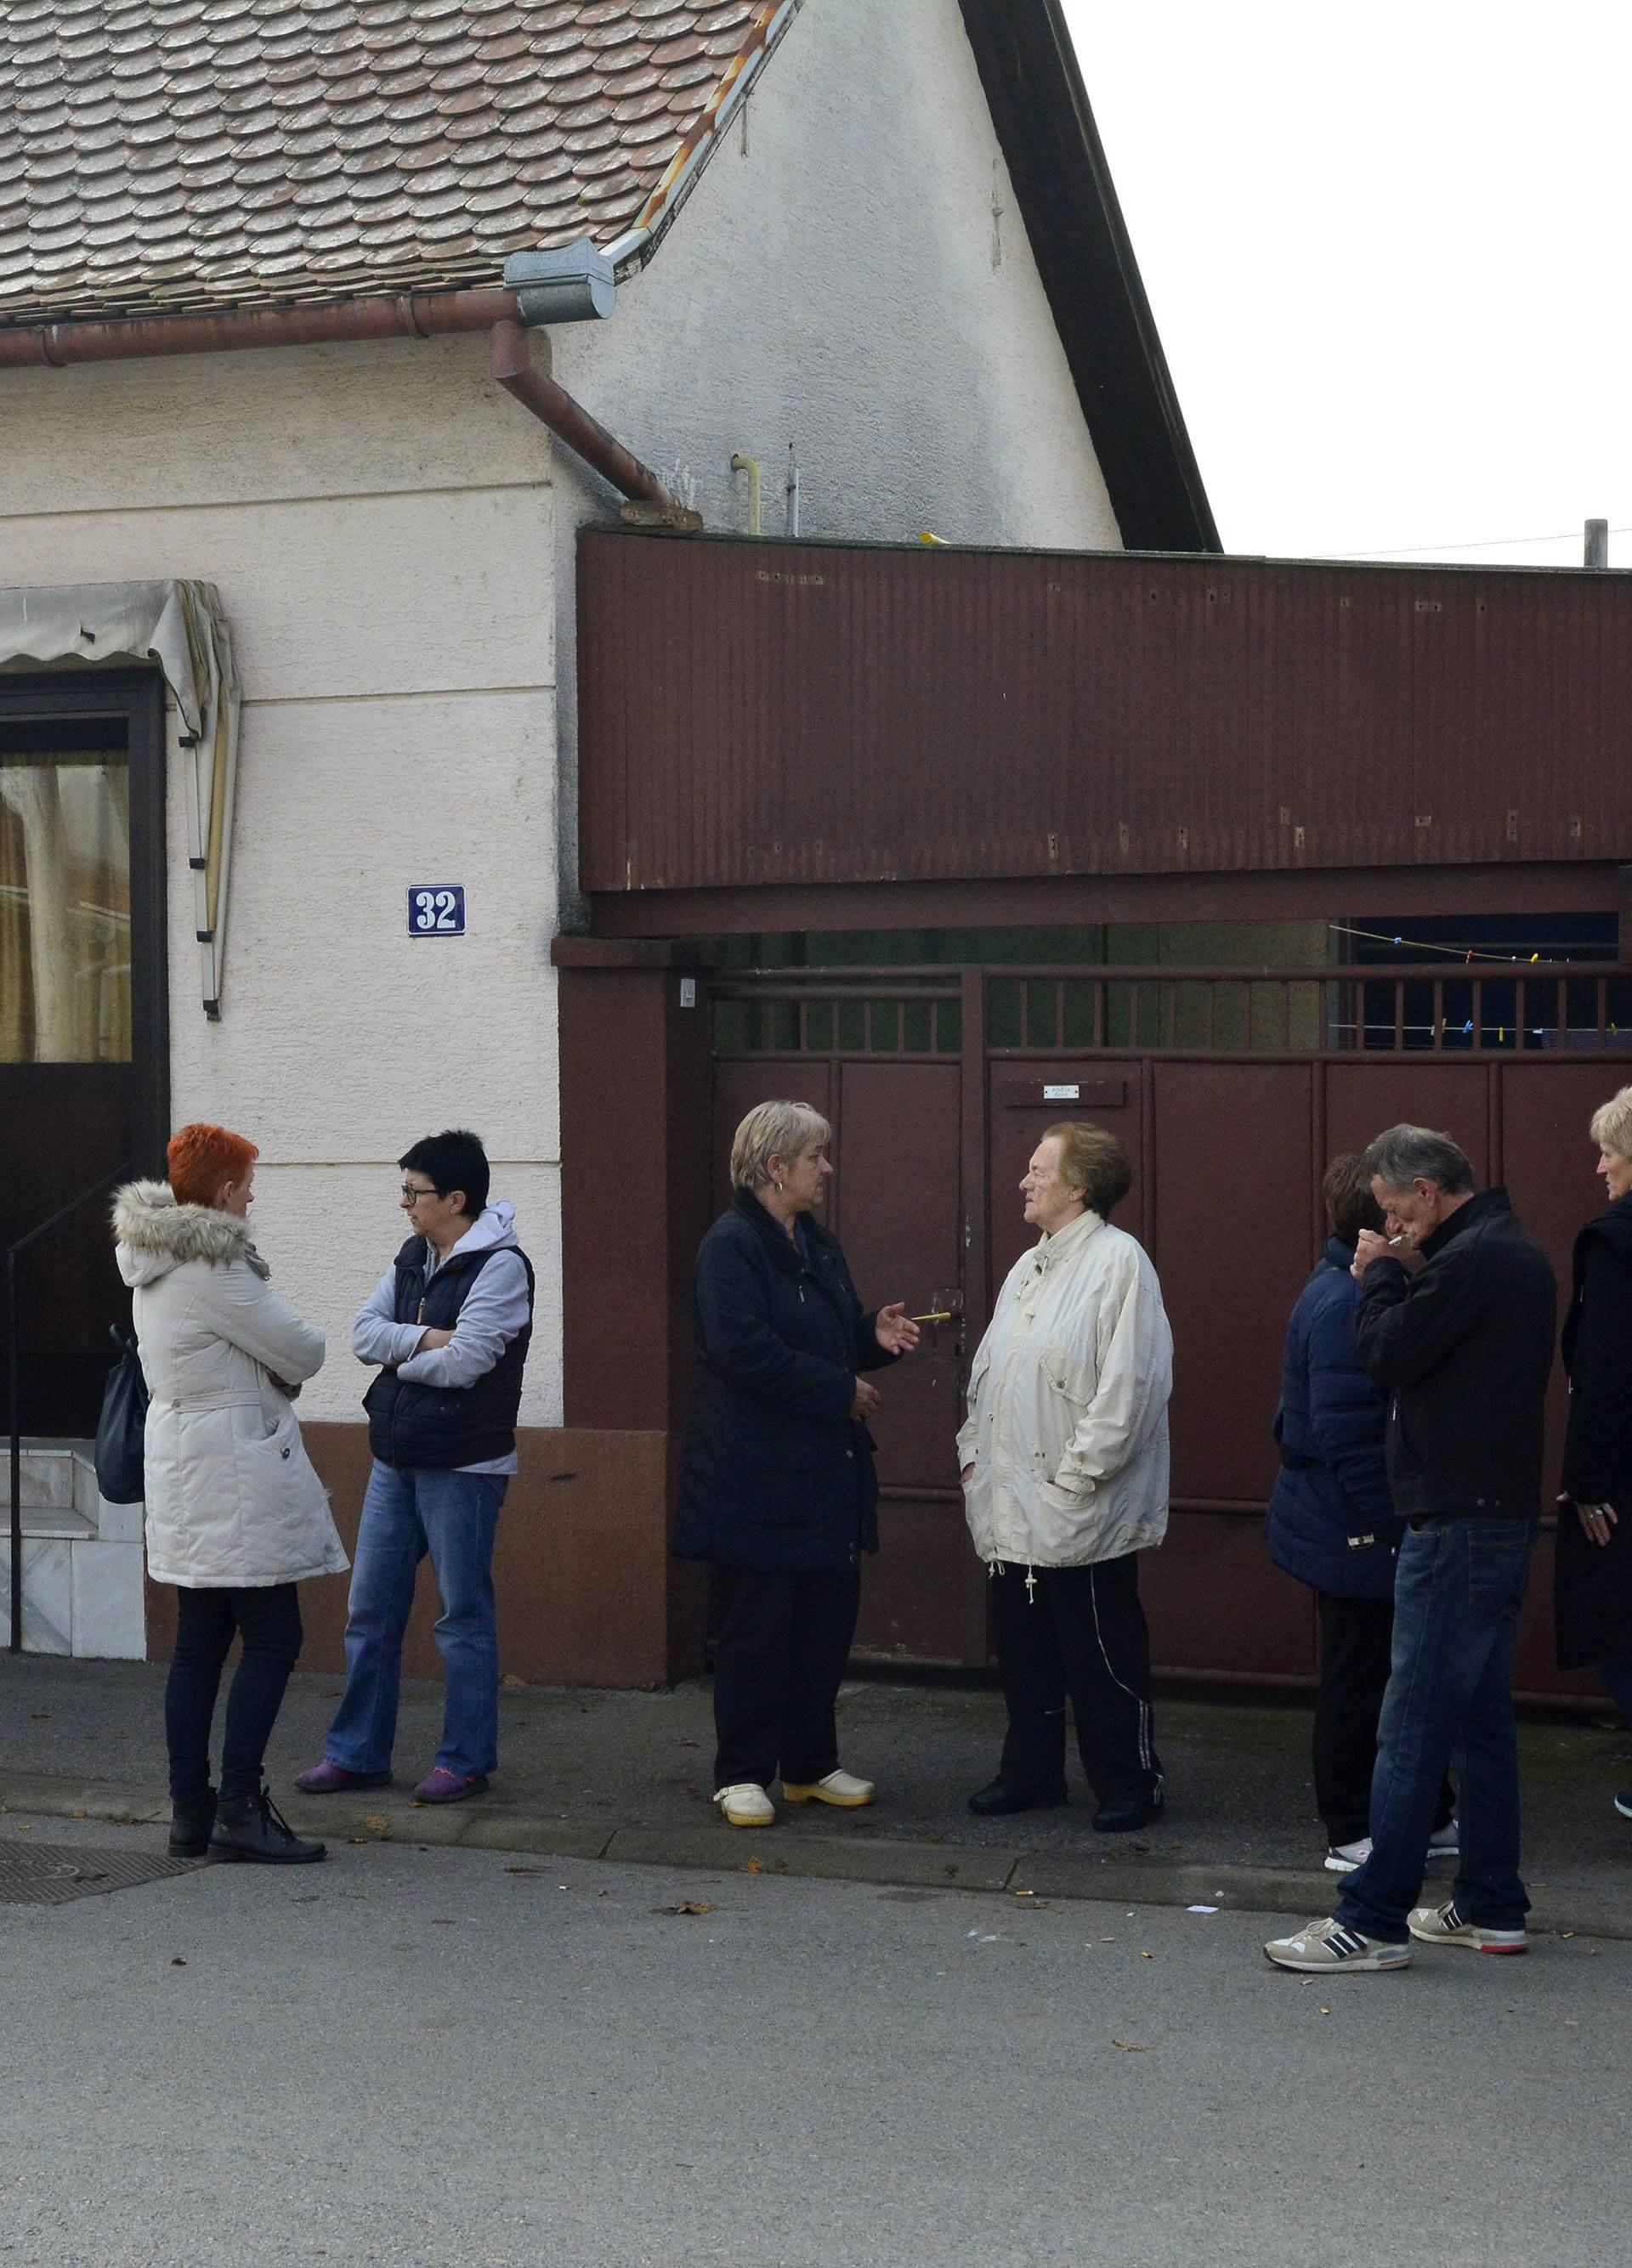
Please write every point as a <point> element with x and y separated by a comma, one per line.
<point>1082,1634</point>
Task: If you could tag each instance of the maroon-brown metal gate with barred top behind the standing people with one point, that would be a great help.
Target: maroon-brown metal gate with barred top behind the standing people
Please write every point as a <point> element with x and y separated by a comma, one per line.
<point>1231,1090</point>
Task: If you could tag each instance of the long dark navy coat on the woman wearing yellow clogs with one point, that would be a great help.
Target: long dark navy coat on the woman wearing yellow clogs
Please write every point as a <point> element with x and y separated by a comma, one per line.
<point>777,1475</point>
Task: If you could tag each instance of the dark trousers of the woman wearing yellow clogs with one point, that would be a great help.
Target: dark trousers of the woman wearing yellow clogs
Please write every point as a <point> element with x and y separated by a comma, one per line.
<point>780,1657</point>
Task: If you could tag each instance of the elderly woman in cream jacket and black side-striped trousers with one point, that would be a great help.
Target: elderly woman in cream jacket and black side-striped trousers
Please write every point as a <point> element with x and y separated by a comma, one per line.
<point>1066,1482</point>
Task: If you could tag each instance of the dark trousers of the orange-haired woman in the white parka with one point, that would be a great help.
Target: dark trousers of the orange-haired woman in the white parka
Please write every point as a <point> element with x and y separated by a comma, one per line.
<point>205,1627</point>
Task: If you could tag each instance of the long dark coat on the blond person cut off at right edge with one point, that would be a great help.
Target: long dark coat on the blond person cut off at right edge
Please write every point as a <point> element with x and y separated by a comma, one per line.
<point>1592,1598</point>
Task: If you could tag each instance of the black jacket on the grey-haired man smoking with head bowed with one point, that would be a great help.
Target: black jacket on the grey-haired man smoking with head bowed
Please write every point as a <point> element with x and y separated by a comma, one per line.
<point>1463,1351</point>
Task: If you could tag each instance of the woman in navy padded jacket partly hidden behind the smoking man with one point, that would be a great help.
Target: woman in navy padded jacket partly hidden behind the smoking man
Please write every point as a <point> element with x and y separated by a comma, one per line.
<point>1331,1523</point>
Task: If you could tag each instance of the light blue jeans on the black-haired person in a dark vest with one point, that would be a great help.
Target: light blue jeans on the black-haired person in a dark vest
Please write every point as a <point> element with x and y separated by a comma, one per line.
<point>407,1514</point>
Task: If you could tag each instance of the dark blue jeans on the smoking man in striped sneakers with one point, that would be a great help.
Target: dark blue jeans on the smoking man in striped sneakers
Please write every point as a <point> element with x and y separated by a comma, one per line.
<point>1456,1616</point>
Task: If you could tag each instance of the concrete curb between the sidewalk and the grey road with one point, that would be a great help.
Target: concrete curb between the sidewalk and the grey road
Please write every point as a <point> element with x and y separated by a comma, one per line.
<point>1565,1909</point>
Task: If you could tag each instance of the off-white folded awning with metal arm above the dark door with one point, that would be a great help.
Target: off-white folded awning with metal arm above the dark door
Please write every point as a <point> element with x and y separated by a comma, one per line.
<point>183,629</point>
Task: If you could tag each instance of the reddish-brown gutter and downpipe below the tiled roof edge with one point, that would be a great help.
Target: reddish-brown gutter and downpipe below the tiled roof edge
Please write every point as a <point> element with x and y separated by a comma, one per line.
<point>60,346</point>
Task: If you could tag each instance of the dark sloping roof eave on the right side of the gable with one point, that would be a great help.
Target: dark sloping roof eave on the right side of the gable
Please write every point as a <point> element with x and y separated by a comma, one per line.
<point>1086,260</point>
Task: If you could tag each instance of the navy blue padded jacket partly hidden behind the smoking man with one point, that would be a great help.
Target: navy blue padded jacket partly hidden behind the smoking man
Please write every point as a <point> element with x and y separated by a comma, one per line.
<point>1331,1521</point>
